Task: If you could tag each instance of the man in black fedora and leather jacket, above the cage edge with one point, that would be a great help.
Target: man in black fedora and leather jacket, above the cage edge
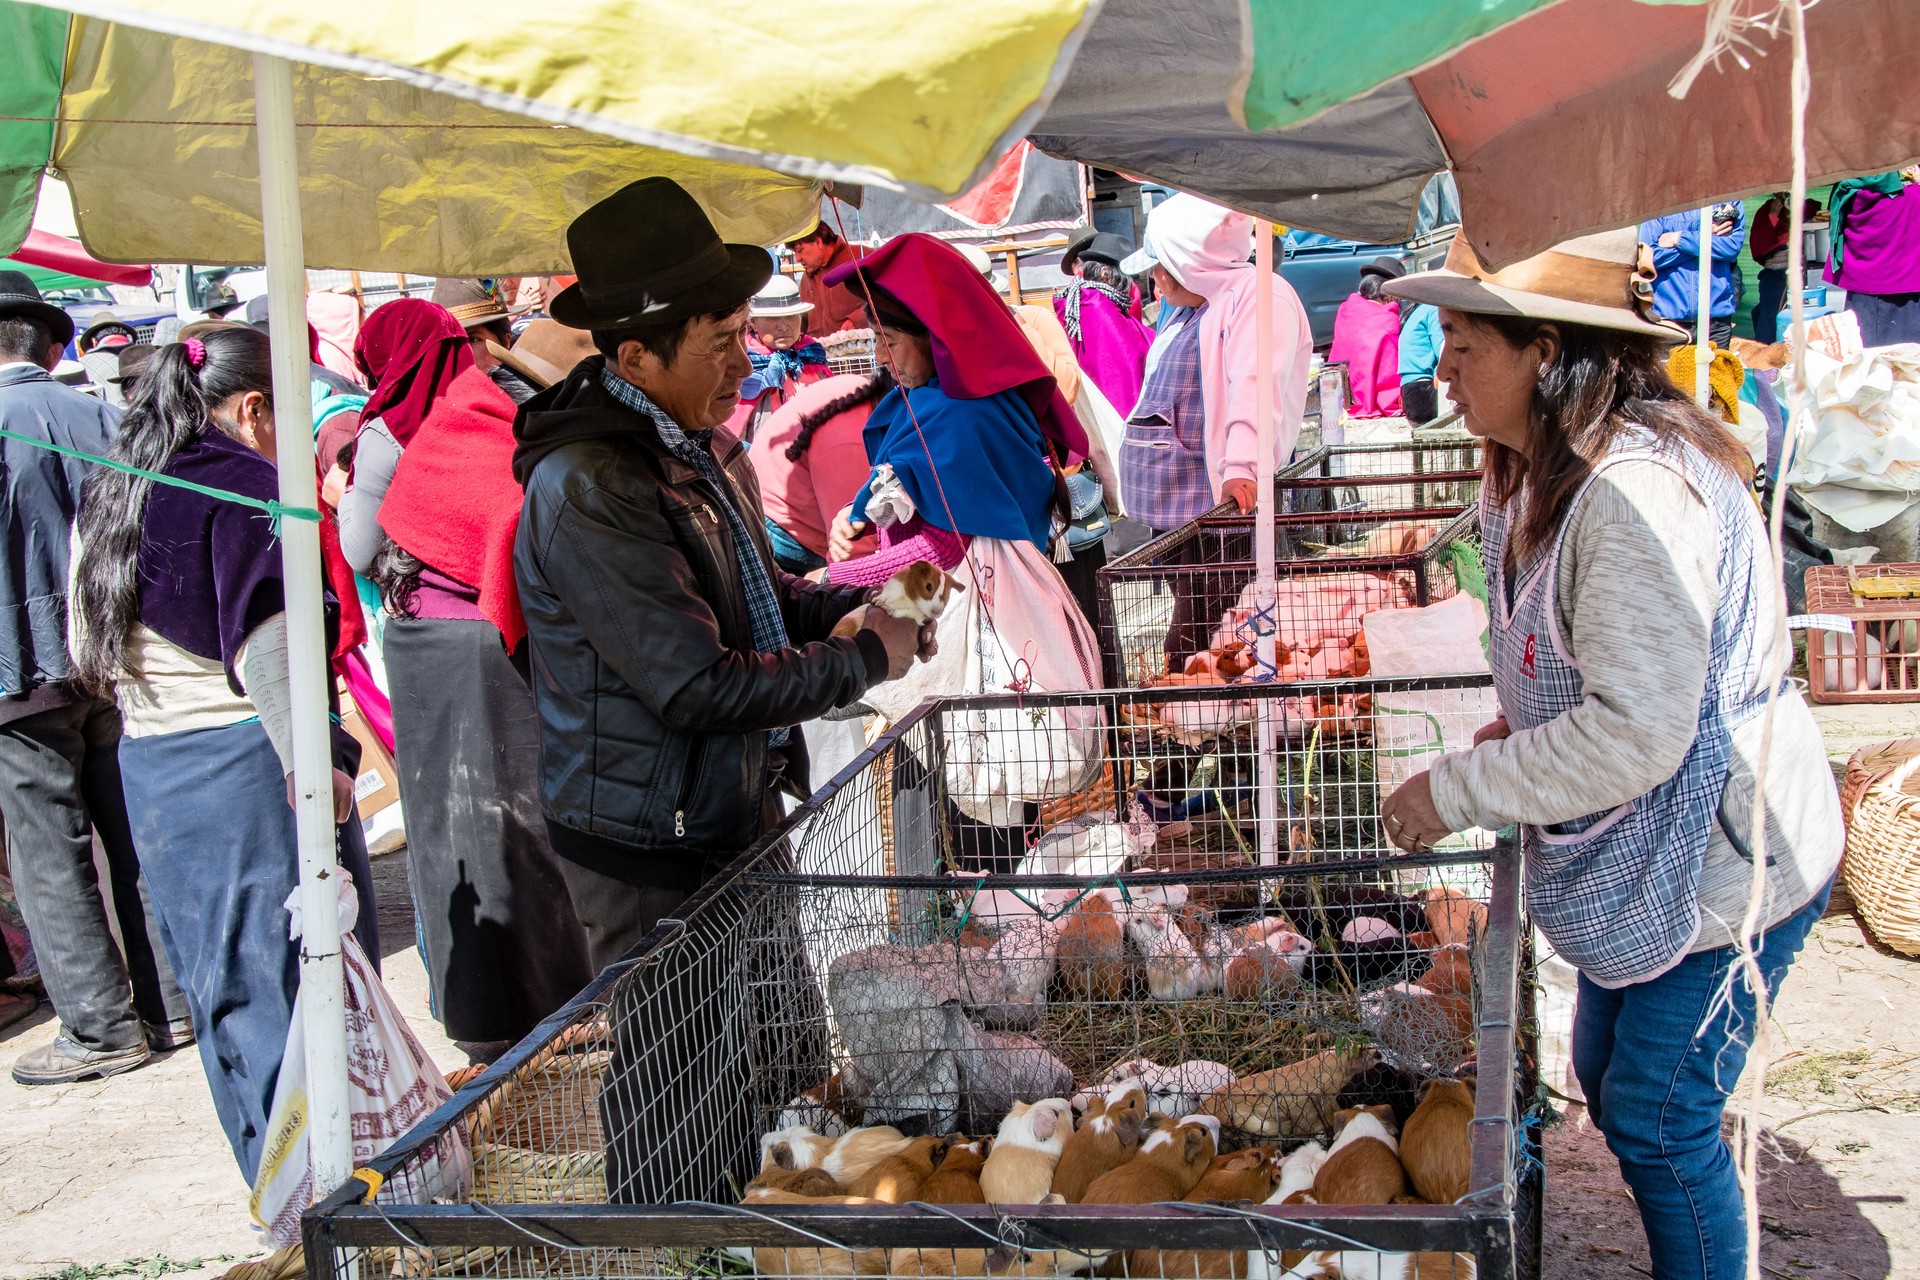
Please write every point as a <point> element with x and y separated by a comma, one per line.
<point>671,655</point>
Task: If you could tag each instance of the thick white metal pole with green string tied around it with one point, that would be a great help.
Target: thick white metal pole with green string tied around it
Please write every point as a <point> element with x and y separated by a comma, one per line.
<point>322,976</point>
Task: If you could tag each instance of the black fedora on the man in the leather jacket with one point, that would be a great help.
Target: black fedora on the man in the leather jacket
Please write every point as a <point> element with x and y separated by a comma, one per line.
<point>650,254</point>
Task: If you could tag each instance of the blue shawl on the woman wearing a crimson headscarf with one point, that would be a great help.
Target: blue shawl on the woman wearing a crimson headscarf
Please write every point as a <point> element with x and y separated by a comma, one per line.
<point>972,467</point>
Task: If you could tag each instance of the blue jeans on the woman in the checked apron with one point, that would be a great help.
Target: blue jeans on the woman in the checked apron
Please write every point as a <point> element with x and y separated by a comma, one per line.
<point>1658,1062</point>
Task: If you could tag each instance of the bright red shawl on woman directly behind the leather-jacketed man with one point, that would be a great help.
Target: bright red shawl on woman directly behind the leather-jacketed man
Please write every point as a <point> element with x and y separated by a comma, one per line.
<point>454,502</point>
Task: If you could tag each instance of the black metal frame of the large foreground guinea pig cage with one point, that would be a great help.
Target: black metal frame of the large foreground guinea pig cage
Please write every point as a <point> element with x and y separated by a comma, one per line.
<point>1499,1221</point>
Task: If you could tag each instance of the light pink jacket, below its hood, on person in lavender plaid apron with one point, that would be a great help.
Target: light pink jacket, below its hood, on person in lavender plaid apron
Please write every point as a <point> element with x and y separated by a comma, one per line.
<point>1230,356</point>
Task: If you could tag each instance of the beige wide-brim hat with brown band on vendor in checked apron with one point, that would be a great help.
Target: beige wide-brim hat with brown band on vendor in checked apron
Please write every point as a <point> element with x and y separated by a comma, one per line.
<point>1602,281</point>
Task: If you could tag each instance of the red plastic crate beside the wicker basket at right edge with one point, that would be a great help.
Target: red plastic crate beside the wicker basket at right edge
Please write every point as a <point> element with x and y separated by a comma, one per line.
<point>1881,659</point>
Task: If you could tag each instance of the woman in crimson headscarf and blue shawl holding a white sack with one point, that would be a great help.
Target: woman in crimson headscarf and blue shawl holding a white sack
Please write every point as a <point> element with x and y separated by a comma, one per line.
<point>969,456</point>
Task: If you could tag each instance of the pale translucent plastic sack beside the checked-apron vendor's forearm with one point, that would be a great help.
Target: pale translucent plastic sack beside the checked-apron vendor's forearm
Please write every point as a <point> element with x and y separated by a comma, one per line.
<point>1414,730</point>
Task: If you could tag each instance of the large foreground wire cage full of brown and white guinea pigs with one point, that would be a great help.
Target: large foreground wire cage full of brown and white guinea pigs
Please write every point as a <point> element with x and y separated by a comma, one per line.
<point>1253,1043</point>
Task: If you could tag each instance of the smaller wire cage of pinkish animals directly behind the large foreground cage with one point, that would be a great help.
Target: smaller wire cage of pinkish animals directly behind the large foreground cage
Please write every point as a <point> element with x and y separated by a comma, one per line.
<point>1182,609</point>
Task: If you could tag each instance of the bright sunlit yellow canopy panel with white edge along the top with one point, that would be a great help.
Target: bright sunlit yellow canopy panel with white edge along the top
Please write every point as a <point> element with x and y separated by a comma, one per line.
<point>913,95</point>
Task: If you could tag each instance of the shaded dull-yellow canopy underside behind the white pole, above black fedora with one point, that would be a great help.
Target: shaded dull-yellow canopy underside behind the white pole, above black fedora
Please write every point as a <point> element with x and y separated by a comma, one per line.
<point>156,143</point>
